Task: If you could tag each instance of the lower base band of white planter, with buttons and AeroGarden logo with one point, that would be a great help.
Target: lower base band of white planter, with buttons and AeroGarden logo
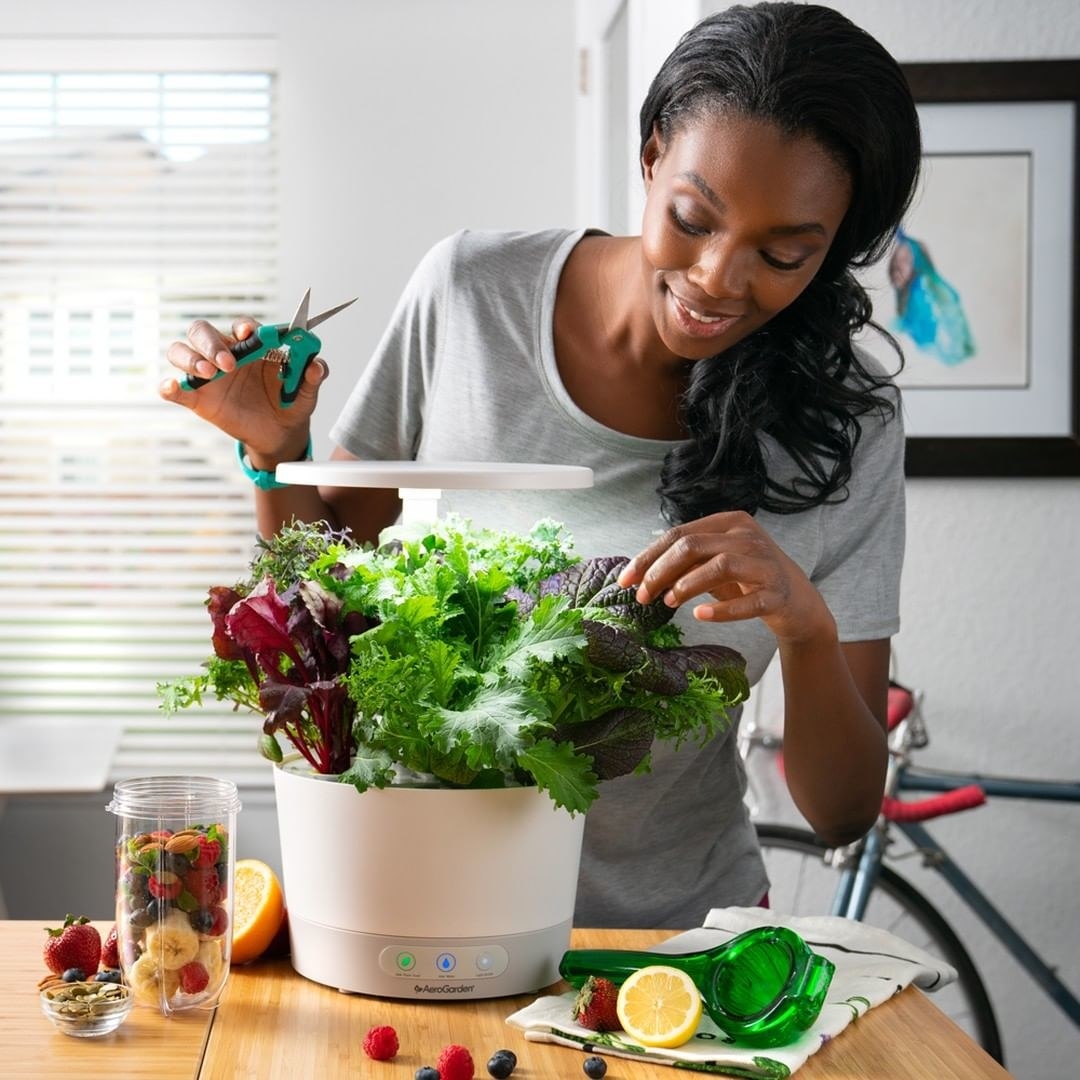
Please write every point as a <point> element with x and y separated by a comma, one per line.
<point>436,969</point>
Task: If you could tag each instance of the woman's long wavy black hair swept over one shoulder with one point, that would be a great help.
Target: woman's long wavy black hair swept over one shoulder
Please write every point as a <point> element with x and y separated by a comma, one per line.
<point>809,72</point>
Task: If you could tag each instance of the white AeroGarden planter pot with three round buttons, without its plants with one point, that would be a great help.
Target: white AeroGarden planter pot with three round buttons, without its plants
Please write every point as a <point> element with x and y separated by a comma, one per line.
<point>422,893</point>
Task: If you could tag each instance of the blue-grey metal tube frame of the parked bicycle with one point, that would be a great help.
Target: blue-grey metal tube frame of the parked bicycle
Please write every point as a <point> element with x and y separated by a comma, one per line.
<point>860,863</point>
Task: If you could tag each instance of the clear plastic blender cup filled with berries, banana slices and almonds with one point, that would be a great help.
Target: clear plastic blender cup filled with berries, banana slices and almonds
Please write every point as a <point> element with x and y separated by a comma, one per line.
<point>175,862</point>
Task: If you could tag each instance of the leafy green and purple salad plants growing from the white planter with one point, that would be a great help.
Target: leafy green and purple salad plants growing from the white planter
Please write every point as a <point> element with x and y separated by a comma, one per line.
<point>475,657</point>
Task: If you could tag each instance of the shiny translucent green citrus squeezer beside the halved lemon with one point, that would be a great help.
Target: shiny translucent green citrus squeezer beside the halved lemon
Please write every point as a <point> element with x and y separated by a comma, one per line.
<point>764,988</point>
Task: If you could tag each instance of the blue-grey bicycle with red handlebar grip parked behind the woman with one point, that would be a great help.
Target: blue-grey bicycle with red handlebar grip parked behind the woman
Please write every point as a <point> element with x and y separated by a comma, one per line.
<point>808,877</point>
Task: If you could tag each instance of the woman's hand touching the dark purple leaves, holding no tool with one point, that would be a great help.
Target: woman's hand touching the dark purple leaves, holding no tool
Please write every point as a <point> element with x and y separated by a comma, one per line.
<point>732,559</point>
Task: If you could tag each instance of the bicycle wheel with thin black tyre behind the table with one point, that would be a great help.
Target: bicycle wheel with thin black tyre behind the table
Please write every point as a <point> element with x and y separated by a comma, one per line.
<point>804,884</point>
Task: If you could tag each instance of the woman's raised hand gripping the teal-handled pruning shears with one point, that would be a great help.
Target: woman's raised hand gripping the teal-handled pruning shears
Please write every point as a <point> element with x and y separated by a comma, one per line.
<point>246,402</point>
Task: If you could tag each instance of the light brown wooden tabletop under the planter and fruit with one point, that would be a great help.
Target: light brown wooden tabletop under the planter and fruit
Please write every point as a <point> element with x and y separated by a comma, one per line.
<point>275,1025</point>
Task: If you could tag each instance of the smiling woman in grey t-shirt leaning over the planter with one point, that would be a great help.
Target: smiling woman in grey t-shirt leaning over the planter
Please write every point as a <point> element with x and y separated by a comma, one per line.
<point>744,453</point>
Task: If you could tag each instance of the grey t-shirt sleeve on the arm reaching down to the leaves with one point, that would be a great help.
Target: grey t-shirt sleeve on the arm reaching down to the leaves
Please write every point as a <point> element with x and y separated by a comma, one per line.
<point>863,544</point>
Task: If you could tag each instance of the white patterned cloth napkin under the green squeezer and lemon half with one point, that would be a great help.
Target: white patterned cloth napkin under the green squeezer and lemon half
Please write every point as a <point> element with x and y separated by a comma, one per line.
<point>872,966</point>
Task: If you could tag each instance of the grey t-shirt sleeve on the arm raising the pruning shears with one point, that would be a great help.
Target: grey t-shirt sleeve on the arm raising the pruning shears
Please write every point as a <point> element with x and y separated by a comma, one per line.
<point>383,417</point>
